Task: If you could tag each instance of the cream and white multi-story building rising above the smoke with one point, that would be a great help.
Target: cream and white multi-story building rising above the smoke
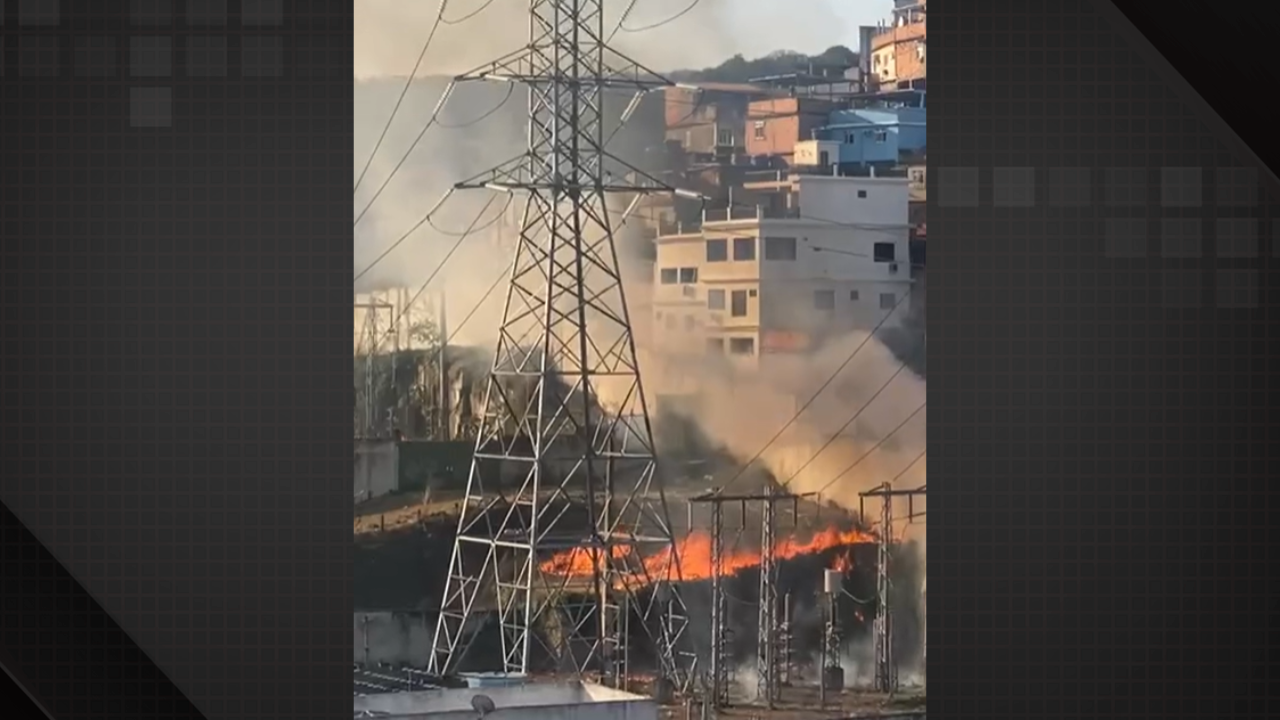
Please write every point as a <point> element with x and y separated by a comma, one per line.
<point>804,259</point>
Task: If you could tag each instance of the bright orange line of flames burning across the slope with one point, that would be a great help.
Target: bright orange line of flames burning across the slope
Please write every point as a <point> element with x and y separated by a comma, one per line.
<point>696,557</point>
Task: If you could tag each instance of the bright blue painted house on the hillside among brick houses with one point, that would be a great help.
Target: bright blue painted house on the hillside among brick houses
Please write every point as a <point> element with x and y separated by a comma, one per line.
<point>875,136</point>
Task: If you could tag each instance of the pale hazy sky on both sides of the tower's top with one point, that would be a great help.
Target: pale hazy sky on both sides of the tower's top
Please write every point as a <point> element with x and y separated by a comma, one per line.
<point>390,33</point>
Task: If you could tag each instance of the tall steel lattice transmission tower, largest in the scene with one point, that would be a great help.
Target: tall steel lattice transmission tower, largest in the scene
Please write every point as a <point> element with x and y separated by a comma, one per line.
<point>565,462</point>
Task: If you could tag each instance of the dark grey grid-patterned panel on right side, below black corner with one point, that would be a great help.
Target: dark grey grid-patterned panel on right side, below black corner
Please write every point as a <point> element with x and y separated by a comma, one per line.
<point>1098,290</point>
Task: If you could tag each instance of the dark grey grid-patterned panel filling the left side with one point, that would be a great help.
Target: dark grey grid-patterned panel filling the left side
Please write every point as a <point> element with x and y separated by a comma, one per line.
<point>176,280</point>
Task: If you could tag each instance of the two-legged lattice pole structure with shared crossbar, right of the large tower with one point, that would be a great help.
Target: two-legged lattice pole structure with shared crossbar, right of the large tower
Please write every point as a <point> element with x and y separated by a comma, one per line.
<point>772,636</point>
